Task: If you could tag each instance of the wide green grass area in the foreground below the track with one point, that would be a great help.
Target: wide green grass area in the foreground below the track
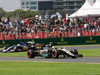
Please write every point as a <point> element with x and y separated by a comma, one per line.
<point>48,68</point>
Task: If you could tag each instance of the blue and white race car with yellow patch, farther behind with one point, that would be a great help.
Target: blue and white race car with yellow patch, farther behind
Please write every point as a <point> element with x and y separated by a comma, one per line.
<point>20,47</point>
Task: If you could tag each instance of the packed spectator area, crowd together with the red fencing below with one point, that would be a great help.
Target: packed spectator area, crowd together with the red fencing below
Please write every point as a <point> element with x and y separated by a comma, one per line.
<point>30,29</point>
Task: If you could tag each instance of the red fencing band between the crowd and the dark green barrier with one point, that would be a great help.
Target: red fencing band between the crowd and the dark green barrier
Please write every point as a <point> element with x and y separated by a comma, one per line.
<point>10,36</point>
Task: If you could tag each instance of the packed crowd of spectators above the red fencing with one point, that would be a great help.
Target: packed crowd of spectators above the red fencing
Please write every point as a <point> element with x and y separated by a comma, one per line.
<point>10,25</point>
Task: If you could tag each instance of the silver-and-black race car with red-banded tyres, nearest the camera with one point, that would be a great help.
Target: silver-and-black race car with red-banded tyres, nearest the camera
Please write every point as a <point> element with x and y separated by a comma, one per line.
<point>52,52</point>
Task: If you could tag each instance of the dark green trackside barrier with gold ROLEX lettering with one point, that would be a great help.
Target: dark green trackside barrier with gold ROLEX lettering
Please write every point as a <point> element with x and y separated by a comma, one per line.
<point>56,41</point>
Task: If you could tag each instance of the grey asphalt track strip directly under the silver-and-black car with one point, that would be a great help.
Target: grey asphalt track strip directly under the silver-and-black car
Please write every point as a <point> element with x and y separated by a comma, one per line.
<point>41,59</point>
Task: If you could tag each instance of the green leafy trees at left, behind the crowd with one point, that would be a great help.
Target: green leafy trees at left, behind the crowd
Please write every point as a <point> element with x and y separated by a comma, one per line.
<point>19,13</point>
